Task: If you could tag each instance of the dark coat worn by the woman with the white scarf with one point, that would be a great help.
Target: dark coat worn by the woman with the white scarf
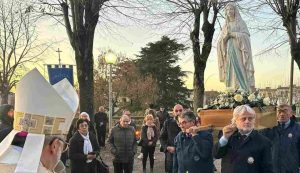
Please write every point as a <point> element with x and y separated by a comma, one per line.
<point>76,155</point>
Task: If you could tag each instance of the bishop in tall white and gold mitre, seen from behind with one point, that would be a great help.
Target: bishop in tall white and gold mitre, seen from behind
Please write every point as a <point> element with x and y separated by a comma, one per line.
<point>43,115</point>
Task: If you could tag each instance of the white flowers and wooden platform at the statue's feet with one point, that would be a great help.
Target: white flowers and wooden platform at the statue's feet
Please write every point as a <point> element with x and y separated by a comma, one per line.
<point>219,112</point>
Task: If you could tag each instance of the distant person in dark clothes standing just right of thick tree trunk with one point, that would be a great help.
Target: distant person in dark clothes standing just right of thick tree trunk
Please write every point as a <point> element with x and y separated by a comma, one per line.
<point>101,121</point>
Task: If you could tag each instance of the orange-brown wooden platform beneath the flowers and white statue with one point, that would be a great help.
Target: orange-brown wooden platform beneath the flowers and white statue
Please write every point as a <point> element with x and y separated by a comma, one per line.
<point>218,118</point>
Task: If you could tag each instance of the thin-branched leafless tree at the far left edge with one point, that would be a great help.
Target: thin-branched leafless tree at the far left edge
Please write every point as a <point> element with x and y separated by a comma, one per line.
<point>18,43</point>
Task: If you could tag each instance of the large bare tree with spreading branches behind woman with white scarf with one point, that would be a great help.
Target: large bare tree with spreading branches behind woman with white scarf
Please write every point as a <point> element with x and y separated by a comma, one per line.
<point>80,19</point>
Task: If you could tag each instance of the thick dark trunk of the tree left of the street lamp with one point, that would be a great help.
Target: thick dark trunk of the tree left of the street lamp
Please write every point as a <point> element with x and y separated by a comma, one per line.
<point>85,15</point>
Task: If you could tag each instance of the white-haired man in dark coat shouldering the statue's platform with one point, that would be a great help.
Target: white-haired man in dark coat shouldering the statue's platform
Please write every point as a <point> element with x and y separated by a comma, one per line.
<point>242,148</point>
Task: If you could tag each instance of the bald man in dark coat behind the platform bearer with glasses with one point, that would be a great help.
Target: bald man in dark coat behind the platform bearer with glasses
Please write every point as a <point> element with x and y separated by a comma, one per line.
<point>168,133</point>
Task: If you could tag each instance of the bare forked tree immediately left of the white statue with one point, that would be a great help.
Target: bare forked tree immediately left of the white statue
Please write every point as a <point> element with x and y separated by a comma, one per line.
<point>200,17</point>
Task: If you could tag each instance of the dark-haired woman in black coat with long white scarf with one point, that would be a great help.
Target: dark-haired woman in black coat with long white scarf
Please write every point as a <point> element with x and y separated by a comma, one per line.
<point>84,149</point>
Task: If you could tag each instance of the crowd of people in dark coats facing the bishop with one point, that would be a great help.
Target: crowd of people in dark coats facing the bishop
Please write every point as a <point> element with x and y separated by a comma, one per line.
<point>187,148</point>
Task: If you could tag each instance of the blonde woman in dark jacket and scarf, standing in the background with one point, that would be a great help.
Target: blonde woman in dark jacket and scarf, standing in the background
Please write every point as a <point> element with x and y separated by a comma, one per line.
<point>148,140</point>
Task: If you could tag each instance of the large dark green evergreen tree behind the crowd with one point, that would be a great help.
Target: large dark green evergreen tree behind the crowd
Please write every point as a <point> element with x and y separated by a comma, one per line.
<point>159,60</point>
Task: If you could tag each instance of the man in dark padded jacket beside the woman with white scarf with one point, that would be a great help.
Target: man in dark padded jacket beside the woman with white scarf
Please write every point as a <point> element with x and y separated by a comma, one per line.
<point>123,145</point>
